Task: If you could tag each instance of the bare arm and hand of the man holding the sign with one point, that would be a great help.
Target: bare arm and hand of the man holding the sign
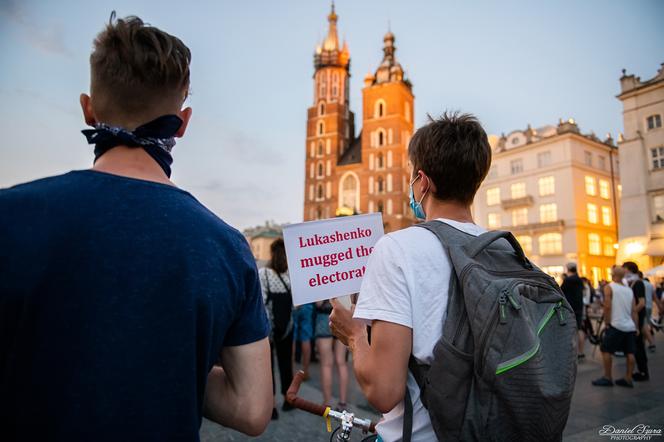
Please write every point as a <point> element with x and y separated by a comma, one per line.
<point>381,368</point>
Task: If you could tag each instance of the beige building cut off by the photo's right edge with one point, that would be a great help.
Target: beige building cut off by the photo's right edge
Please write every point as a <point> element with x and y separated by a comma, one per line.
<point>642,164</point>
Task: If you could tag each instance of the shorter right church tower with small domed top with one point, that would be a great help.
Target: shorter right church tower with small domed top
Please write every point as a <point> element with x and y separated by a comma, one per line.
<point>387,125</point>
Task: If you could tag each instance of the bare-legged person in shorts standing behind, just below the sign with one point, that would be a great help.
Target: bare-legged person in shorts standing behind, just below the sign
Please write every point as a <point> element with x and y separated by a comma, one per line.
<point>330,352</point>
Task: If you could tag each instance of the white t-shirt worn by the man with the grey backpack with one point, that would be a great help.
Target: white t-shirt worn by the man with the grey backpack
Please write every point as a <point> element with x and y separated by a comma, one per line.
<point>406,283</point>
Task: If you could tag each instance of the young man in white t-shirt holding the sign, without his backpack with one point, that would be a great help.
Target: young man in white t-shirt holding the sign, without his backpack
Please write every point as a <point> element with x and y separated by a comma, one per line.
<point>404,291</point>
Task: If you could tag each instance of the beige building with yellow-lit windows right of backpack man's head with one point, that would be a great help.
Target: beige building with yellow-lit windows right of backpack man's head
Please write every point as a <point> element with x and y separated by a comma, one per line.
<point>555,190</point>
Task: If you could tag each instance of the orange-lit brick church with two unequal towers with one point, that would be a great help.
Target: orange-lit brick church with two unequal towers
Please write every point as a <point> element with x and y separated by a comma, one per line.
<point>351,174</point>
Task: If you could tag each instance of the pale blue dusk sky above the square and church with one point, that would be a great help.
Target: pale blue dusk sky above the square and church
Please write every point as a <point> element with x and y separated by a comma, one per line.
<point>509,62</point>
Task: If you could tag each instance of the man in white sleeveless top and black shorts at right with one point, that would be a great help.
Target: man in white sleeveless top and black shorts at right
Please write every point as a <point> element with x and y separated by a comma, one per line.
<point>622,326</point>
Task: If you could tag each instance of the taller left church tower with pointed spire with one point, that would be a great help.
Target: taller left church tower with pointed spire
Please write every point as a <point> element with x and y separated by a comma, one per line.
<point>330,124</point>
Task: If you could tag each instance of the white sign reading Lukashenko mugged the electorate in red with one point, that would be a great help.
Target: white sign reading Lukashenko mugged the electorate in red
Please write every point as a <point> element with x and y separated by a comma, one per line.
<point>327,259</point>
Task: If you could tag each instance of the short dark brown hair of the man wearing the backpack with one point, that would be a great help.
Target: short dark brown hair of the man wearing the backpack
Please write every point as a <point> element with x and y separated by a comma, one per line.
<point>454,152</point>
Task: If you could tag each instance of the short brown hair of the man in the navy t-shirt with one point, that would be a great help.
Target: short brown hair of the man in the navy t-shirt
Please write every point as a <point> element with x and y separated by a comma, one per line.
<point>138,72</point>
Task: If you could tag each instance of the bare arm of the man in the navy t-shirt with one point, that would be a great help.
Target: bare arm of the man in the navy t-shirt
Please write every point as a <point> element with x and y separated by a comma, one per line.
<point>238,394</point>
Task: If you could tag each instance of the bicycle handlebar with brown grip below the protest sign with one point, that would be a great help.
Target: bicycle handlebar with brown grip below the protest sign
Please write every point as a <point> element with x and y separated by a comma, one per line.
<point>347,420</point>
